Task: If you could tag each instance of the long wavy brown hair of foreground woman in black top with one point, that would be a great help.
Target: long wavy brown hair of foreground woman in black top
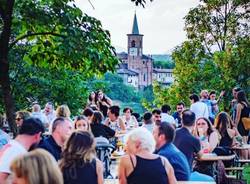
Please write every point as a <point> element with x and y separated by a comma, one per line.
<point>79,149</point>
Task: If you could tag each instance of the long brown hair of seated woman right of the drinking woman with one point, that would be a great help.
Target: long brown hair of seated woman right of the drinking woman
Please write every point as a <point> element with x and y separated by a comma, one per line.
<point>222,122</point>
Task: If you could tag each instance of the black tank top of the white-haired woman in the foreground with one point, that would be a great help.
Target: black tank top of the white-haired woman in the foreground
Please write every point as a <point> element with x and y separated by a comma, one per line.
<point>148,171</point>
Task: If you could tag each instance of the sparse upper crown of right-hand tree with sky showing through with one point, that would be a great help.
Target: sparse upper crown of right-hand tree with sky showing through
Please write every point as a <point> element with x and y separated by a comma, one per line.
<point>218,23</point>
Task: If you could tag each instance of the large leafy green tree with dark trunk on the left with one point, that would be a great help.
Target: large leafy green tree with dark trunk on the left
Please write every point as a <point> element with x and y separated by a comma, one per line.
<point>58,36</point>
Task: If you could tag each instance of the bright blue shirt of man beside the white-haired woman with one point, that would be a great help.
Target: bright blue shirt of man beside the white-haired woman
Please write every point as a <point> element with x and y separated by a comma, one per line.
<point>177,159</point>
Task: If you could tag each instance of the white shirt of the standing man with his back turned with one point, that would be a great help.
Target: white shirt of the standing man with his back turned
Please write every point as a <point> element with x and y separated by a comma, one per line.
<point>200,109</point>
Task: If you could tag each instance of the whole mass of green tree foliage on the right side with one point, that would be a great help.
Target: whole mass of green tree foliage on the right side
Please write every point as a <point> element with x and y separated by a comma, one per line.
<point>216,55</point>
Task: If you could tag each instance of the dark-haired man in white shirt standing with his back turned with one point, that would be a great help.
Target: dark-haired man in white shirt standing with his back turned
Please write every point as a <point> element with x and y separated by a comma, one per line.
<point>199,108</point>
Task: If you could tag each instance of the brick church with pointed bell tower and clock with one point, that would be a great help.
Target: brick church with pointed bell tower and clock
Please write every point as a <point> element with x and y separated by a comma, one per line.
<point>136,69</point>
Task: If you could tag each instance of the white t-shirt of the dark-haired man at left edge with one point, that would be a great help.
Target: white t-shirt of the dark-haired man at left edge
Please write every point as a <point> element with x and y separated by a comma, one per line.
<point>8,153</point>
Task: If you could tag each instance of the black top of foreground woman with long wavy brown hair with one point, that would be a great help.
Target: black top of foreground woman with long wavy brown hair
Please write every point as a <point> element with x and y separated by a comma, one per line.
<point>80,173</point>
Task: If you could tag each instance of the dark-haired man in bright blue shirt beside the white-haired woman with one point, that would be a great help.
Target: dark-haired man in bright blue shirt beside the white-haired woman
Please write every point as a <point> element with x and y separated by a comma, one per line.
<point>164,134</point>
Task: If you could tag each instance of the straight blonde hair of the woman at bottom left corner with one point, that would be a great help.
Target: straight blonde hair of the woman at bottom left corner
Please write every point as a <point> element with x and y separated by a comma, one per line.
<point>36,167</point>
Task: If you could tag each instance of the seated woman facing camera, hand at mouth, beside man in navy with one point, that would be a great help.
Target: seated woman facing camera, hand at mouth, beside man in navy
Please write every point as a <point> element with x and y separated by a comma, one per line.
<point>206,134</point>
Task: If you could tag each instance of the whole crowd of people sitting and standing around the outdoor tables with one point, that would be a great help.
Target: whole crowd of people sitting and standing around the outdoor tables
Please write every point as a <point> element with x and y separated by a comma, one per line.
<point>161,148</point>
